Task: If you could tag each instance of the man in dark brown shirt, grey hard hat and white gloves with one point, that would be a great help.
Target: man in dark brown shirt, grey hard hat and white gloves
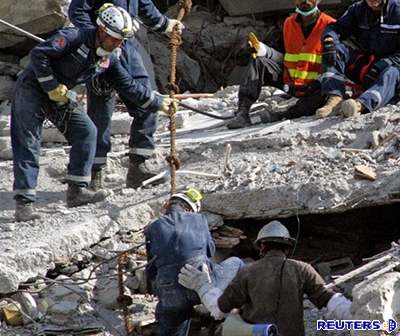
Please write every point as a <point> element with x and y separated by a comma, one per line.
<point>270,290</point>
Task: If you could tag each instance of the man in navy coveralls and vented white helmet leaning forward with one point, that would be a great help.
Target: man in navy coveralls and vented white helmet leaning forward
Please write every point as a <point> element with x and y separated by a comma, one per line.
<point>68,58</point>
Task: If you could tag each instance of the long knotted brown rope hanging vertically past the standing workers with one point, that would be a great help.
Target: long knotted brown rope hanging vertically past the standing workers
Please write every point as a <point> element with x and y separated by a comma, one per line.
<point>184,7</point>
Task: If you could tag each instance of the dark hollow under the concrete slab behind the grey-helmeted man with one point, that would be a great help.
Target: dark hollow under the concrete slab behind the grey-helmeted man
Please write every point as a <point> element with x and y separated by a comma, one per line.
<point>354,234</point>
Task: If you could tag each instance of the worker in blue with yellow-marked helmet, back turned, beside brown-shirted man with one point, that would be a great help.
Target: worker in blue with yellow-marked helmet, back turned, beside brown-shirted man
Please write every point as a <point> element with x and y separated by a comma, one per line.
<point>178,237</point>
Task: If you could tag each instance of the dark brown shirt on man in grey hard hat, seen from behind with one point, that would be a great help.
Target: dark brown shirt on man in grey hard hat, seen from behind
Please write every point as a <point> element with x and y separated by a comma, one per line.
<point>271,290</point>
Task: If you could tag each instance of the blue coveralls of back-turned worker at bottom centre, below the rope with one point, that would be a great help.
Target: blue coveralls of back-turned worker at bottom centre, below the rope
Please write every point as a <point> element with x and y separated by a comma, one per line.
<point>175,239</point>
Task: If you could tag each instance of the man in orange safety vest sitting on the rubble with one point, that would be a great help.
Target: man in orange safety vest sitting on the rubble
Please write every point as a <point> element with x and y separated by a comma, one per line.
<point>295,69</point>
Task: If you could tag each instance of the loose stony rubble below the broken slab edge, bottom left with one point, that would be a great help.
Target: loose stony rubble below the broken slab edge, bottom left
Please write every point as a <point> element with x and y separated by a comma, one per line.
<point>83,295</point>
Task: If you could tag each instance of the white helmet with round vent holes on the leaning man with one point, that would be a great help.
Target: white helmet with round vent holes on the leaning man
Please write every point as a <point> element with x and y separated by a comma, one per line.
<point>117,22</point>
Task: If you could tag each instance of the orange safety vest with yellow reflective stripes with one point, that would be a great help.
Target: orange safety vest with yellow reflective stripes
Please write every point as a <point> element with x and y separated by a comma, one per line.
<point>302,60</point>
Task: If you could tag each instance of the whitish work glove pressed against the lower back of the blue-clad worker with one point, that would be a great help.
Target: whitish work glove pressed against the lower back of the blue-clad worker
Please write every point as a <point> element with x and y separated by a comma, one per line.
<point>192,278</point>
